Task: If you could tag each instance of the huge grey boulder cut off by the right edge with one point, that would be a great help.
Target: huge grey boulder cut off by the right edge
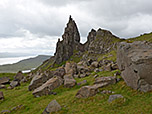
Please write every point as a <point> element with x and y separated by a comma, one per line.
<point>135,62</point>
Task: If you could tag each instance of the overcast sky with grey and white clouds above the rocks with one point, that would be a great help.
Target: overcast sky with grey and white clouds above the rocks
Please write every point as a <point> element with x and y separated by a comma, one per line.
<point>33,26</point>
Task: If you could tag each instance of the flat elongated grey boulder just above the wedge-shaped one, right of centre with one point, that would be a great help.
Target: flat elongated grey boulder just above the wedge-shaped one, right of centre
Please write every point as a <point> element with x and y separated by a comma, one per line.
<point>109,80</point>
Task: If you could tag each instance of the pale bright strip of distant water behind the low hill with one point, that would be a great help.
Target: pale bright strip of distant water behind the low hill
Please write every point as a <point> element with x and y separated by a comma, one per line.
<point>11,60</point>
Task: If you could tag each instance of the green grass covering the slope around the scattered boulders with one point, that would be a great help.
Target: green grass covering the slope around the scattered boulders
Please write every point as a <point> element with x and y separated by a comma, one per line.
<point>135,102</point>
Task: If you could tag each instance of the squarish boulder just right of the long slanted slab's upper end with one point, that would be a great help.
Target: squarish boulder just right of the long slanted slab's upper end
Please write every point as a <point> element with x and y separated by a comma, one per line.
<point>69,81</point>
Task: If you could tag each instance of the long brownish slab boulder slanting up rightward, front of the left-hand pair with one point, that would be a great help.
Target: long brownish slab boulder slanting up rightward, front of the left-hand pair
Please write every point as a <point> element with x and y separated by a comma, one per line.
<point>47,87</point>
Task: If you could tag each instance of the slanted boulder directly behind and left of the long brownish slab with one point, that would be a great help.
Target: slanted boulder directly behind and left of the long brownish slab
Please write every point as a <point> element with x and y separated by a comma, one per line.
<point>37,81</point>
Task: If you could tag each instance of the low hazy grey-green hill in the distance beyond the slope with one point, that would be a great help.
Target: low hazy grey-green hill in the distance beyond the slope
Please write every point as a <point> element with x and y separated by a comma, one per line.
<point>26,64</point>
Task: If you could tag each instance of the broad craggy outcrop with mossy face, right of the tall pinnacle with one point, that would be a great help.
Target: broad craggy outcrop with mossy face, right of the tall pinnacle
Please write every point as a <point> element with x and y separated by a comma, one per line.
<point>103,42</point>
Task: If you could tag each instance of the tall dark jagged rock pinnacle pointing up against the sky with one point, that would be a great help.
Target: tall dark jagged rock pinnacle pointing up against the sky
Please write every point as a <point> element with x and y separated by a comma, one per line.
<point>70,42</point>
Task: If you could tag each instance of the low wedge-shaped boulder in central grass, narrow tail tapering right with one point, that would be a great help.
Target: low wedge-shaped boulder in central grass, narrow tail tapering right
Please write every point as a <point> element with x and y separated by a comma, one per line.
<point>88,91</point>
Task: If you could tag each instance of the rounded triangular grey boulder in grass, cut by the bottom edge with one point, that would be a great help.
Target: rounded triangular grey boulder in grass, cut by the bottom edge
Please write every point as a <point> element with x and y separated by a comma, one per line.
<point>53,106</point>
